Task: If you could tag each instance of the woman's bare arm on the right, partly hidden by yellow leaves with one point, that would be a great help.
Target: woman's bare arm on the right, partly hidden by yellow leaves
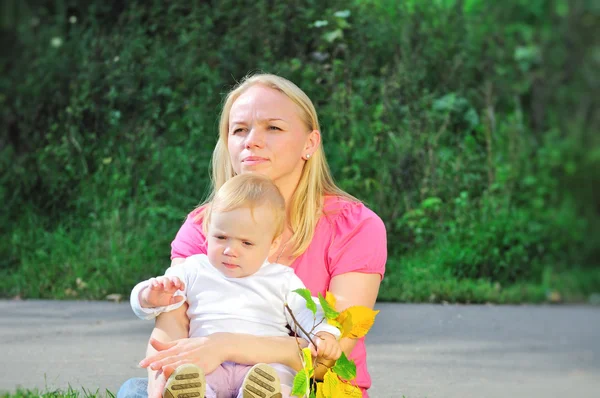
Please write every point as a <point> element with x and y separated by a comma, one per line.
<point>352,288</point>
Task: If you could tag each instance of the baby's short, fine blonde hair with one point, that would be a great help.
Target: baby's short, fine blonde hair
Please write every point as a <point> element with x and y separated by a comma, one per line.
<point>250,191</point>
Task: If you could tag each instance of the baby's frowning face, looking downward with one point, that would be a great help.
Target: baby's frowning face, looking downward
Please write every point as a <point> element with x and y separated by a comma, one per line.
<point>238,243</point>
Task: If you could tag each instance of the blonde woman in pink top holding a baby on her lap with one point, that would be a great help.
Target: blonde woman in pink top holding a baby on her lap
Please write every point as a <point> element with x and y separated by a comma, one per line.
<point>332,241</point>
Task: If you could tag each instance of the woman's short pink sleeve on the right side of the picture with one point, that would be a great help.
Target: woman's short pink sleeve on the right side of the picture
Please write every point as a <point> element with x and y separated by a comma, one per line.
<point>359,242</point>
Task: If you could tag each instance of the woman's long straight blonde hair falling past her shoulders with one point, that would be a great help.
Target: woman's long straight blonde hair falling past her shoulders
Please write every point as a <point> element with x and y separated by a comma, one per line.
<point>306,204</point>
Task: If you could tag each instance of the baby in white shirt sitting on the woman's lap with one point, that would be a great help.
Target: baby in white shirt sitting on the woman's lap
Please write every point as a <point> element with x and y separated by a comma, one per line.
<point>233,288</point>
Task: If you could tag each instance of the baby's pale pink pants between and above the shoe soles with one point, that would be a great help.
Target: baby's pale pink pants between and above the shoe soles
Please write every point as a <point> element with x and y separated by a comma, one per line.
<point>226,381</point>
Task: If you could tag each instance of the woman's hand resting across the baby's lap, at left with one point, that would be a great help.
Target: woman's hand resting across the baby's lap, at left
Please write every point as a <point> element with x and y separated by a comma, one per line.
<point>207,352</point>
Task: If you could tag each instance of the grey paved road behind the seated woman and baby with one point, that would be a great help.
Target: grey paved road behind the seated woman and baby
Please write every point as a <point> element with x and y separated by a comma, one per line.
<point>414,350</point>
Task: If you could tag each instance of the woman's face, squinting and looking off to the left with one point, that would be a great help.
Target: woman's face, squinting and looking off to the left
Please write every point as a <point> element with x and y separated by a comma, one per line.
<point>267,136</point>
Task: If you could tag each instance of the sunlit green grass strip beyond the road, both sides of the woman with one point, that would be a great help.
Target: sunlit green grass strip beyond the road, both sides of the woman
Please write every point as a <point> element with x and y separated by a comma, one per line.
<point>108,254</point>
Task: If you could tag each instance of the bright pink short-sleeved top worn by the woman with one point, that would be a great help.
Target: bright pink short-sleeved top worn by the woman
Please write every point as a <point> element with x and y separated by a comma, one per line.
<point>348,238</point>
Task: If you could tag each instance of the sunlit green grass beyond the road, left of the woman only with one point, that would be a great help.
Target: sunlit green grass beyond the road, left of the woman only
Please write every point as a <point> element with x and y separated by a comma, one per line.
<point>102,255</point>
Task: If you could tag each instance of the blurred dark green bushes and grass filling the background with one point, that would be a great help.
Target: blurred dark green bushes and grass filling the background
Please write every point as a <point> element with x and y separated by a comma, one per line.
<point>469,126</point>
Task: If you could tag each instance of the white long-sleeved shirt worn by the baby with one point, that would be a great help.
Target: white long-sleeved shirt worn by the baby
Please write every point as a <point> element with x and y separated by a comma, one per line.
<point>253,304</point>
